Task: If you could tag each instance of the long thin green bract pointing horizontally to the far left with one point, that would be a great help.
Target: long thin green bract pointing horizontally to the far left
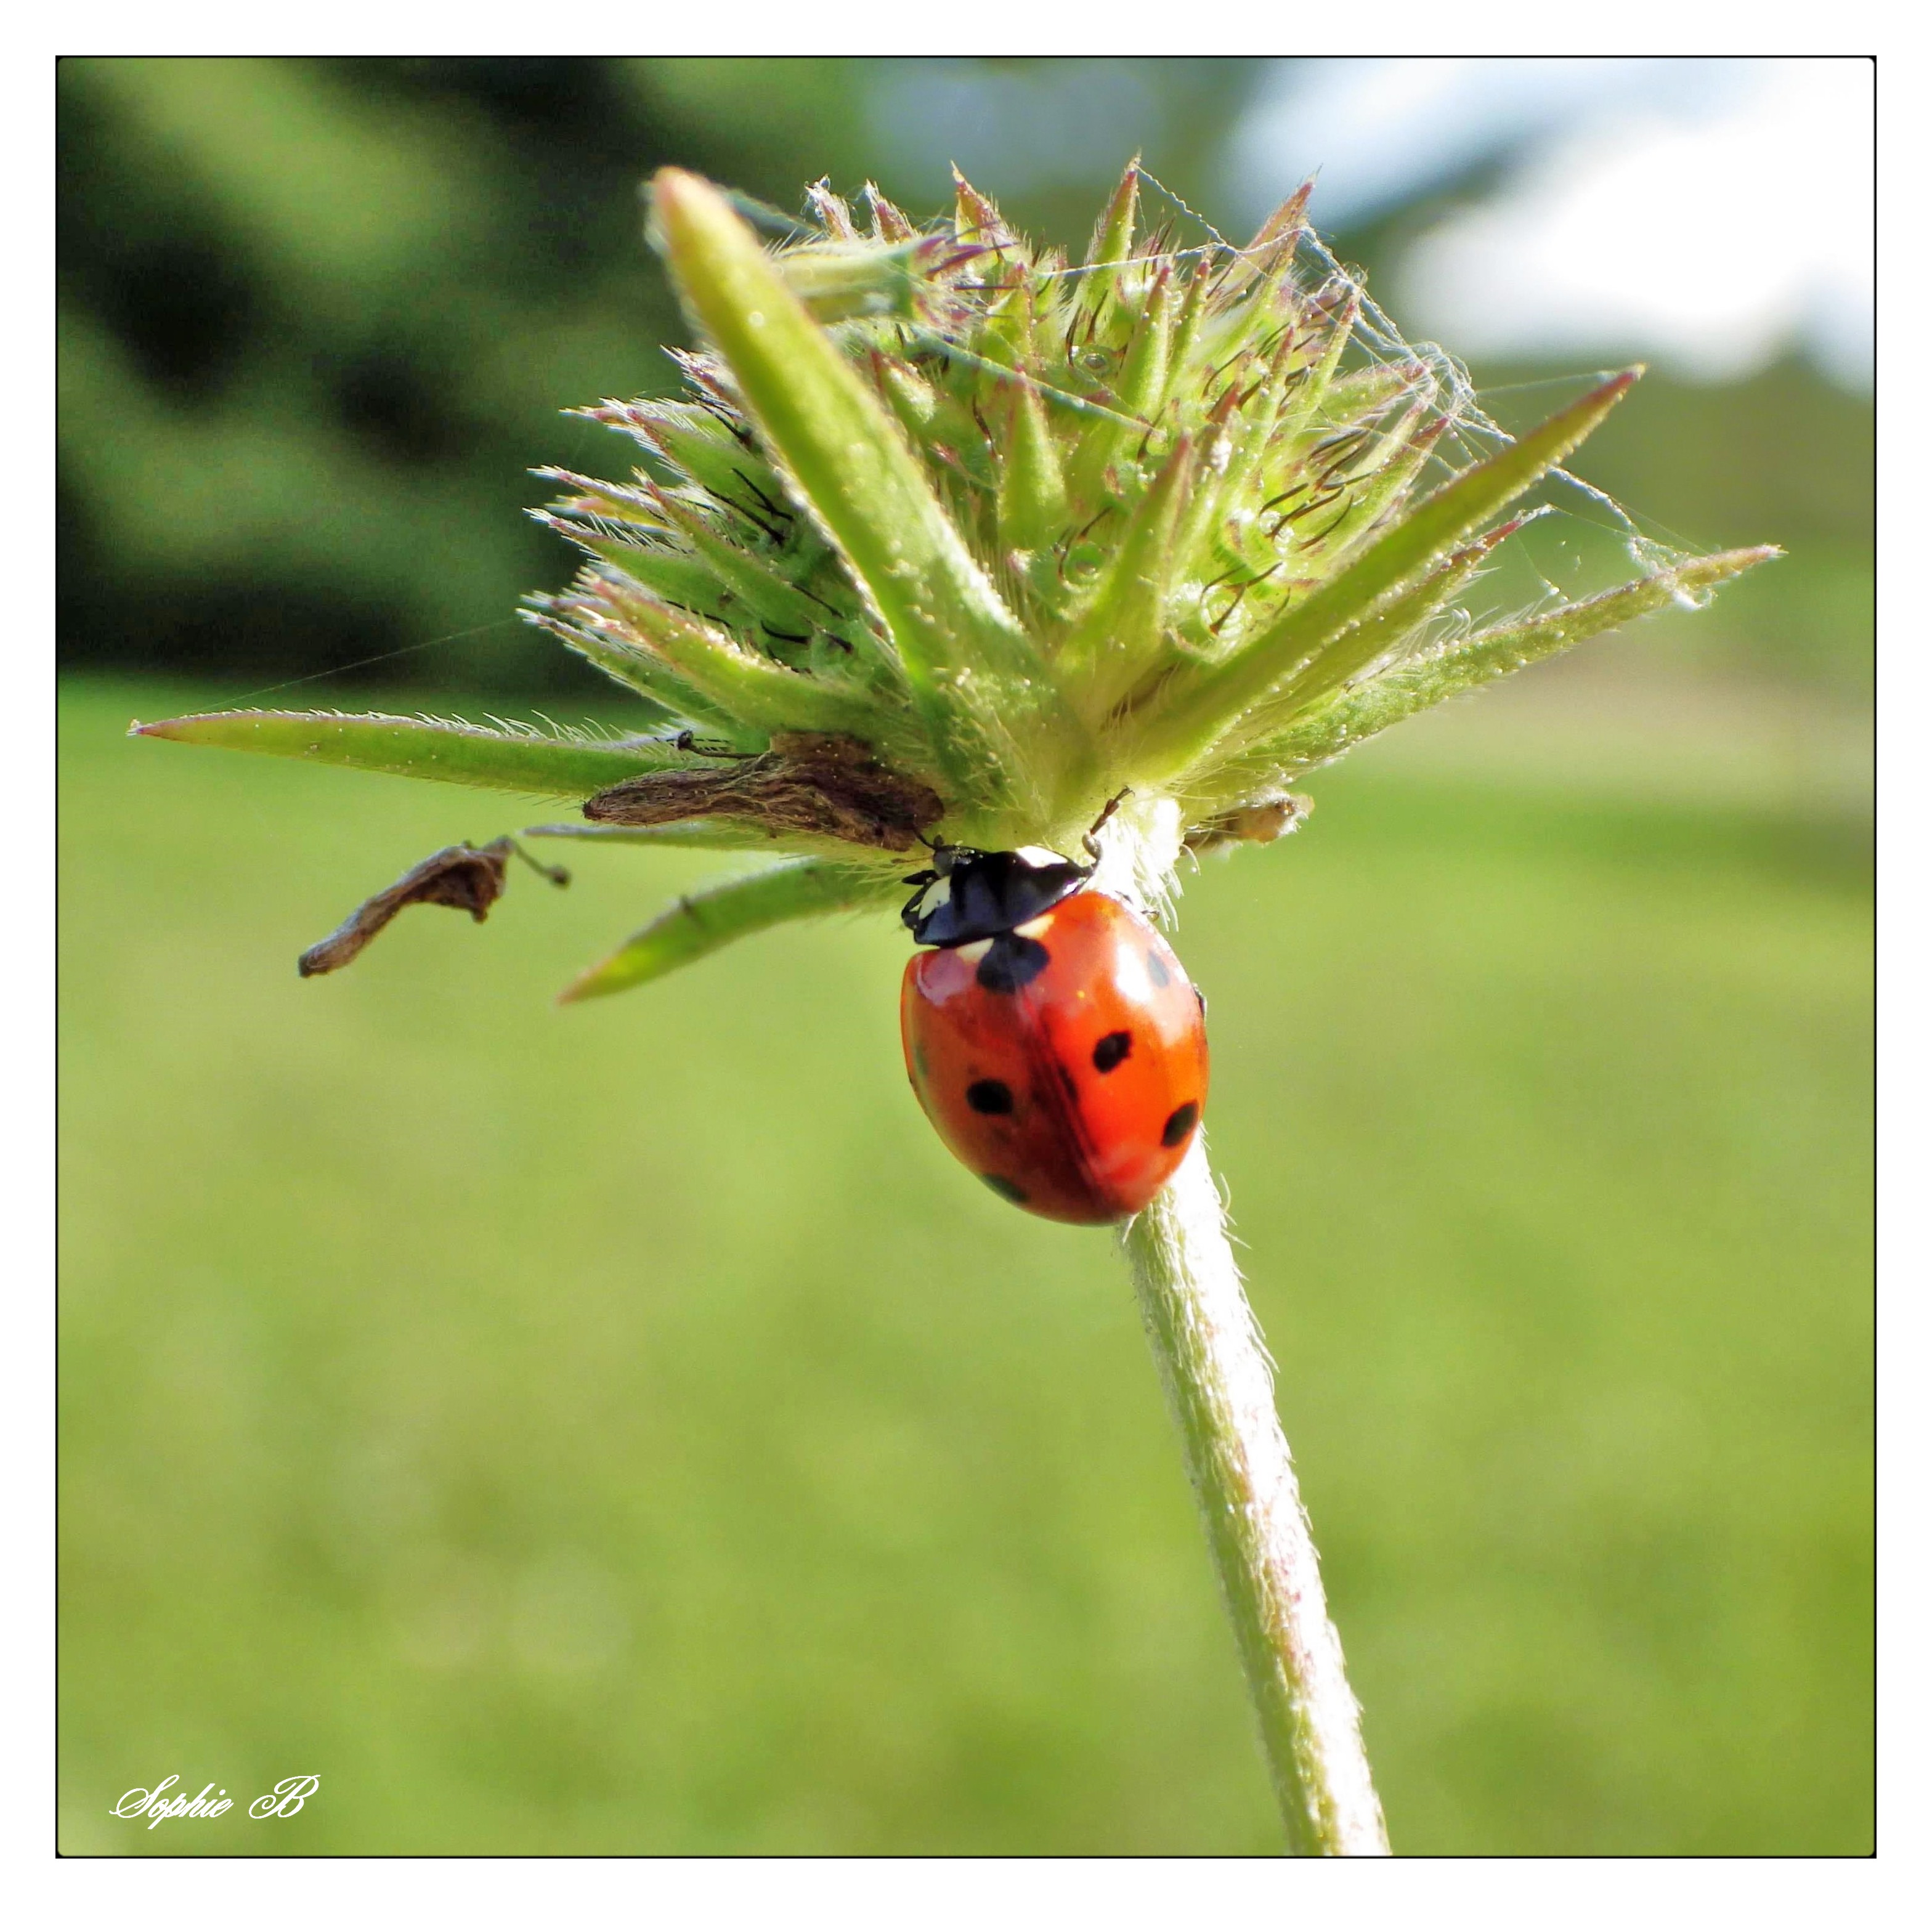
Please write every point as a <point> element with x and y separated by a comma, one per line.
<point>445,750</point>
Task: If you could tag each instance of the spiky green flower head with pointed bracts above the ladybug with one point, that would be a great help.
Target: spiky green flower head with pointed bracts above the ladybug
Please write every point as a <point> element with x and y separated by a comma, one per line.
<point>955,540</point>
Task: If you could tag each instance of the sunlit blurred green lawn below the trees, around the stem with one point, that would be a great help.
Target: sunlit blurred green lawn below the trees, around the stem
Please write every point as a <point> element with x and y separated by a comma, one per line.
<point>629,1430</point>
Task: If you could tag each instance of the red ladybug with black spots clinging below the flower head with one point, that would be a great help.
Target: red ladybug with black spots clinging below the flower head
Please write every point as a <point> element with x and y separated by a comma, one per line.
<point>1052,1036</point>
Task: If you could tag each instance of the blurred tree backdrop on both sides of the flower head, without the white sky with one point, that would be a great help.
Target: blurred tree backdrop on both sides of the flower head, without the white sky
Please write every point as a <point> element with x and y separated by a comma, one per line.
<point>320,318</point>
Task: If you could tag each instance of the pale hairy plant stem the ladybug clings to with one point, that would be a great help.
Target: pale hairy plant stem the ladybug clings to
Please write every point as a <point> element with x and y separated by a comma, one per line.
<point>1222,1392</point>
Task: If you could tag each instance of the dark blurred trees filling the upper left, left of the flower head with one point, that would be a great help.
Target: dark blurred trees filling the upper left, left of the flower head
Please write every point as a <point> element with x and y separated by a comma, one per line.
<point>422,370</point>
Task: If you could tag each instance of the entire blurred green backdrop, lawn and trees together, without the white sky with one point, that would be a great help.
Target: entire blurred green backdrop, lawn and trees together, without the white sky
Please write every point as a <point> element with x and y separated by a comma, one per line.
<point>627,1430</point>
